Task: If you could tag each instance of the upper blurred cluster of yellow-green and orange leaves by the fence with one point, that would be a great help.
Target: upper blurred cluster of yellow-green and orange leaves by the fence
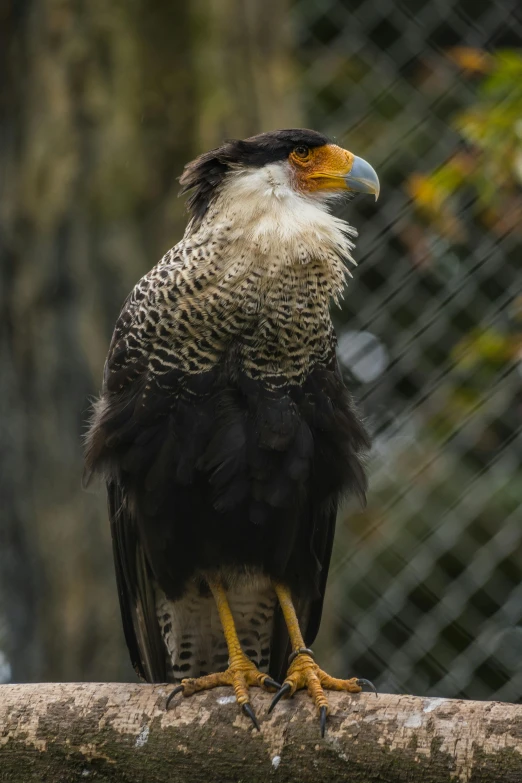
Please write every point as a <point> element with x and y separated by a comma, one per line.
<point>490,163</point>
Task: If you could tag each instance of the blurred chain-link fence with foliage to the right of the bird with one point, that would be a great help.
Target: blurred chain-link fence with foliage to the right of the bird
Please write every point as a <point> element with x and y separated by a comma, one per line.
<point>424,591</point>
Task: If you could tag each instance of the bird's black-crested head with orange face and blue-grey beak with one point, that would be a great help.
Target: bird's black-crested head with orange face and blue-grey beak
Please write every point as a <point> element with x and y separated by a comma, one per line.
<point>297,161</point>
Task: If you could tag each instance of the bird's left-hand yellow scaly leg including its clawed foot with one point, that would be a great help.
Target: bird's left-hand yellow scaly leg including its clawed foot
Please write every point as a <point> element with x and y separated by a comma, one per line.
<point>241,672</point>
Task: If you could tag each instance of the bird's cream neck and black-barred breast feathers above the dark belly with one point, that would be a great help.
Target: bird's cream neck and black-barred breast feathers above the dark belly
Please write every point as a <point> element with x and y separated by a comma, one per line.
<point>263,265</point>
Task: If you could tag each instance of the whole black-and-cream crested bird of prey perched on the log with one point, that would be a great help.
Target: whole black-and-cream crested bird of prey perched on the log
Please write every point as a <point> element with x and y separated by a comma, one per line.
<point>224,431</point>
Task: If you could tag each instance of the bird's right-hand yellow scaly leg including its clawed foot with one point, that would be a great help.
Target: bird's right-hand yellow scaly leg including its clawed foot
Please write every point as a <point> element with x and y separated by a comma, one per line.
<point>303,672</point>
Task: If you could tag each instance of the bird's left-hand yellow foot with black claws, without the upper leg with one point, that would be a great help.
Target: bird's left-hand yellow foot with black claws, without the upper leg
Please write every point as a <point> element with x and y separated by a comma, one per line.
<point>241,674</point>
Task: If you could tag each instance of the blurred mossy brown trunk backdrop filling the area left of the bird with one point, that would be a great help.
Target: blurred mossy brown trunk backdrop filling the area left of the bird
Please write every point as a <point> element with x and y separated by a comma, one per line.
<point>101,105</point>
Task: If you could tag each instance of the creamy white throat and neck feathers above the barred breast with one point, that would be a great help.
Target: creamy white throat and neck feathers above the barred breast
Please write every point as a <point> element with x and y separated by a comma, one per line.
<point>259,217</point>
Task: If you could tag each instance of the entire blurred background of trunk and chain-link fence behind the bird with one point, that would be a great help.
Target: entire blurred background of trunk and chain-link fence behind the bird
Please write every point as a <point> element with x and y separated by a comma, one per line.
<point>101,104</point>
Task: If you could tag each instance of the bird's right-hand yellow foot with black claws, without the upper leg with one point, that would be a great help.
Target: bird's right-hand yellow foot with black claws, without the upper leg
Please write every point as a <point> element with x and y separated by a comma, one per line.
<point>303,672</point>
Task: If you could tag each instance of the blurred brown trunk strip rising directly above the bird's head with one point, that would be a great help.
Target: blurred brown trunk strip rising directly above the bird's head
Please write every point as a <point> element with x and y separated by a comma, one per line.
<point>244,69</point>
